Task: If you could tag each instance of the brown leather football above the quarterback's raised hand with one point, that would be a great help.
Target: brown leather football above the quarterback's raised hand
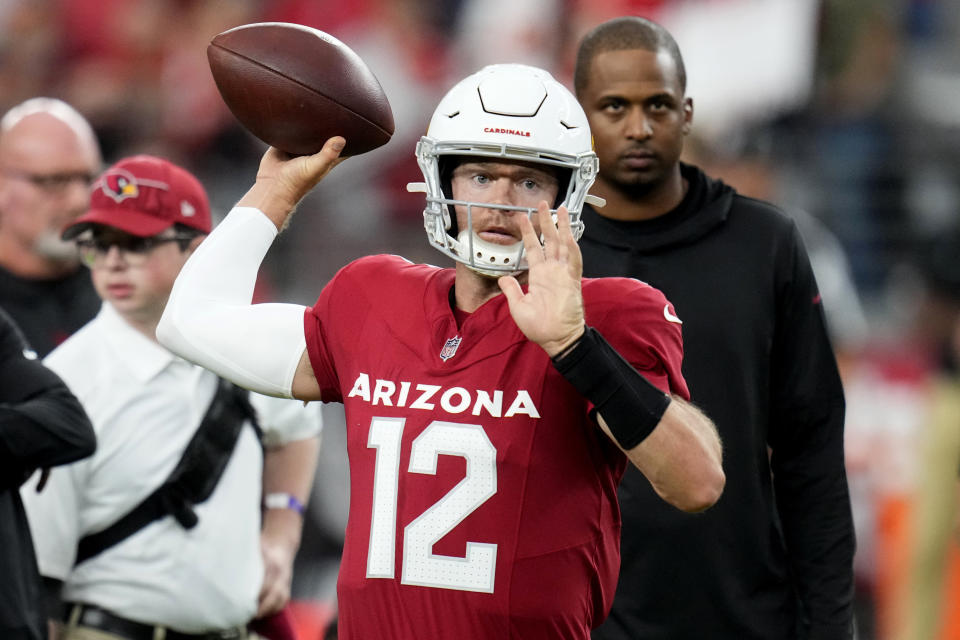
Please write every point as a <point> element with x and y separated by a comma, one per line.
<point>294,87</point>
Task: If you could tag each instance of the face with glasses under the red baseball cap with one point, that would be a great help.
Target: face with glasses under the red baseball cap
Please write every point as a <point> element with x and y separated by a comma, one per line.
<point>132,275</point>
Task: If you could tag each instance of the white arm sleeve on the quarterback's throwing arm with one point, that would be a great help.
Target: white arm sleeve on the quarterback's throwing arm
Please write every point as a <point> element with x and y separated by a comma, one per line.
<point>210,319</point>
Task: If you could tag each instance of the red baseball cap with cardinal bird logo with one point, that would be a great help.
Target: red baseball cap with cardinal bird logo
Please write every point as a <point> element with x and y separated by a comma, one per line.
<point>143,195</point>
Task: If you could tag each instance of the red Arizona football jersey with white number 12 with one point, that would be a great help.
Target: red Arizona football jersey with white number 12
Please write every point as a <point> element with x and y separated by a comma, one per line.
<point>482,494</point>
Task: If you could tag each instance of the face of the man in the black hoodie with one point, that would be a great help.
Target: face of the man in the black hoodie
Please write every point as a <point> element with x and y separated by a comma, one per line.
<point>638,116</point>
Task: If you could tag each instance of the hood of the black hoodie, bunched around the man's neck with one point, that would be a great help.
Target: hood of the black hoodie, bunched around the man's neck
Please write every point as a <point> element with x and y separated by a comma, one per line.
<point>705,207</point>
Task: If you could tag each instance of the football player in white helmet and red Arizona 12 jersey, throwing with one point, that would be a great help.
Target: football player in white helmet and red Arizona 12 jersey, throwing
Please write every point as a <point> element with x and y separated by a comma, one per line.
<point>491,408</point>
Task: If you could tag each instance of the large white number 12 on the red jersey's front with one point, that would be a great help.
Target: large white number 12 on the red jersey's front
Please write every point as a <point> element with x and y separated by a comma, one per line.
<point>475,571</point>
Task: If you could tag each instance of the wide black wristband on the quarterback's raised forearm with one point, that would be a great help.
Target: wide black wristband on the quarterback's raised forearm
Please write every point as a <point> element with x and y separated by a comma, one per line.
<point>630,405</point>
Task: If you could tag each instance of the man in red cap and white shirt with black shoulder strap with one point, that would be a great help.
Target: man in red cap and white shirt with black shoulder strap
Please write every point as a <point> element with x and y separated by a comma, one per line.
<point>197,565</point>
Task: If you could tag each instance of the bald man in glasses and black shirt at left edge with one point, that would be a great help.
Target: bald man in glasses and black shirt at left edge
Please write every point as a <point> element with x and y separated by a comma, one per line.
<point>48,158</point>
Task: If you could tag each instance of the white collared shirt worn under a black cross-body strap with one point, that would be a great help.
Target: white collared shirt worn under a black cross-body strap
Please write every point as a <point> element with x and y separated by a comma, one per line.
<point>145,404</point>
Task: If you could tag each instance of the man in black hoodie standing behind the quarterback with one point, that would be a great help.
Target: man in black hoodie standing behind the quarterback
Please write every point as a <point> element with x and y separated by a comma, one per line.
<point>773,559</point>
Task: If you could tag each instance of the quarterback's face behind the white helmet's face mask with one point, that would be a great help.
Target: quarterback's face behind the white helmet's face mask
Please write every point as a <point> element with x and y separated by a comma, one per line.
<point>517,184</point>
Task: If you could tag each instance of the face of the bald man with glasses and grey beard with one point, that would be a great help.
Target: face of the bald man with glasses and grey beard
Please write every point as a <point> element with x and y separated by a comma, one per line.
<point>45,174</point>
